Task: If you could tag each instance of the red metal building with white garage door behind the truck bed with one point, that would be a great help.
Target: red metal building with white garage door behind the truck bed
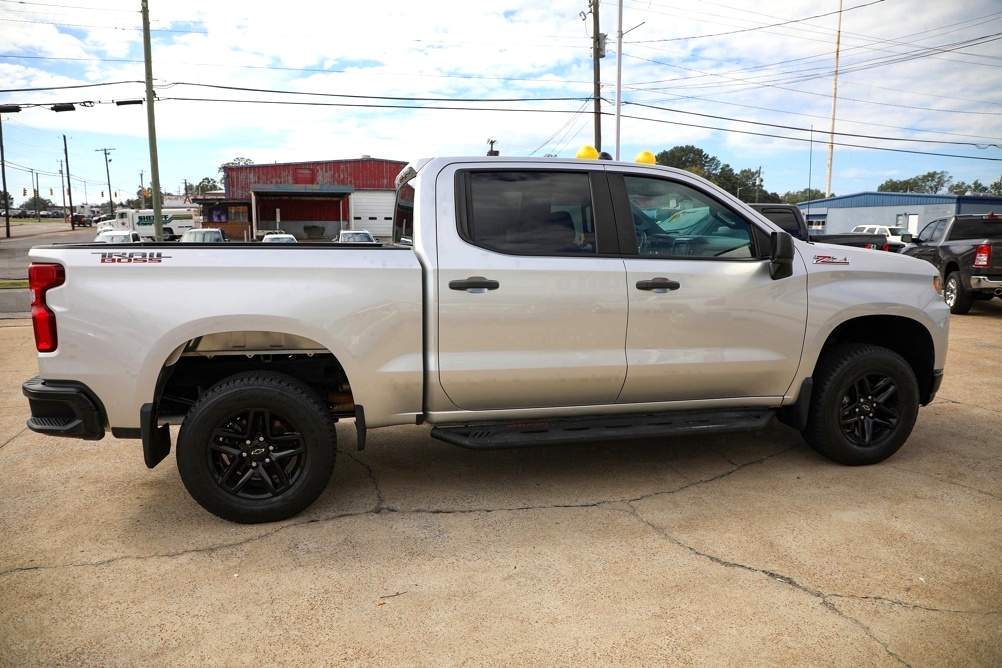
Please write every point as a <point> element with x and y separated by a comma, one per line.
<point>313,201</point>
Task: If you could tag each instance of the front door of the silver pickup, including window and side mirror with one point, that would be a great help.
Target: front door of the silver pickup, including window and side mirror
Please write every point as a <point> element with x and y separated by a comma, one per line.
<point>706,320</point>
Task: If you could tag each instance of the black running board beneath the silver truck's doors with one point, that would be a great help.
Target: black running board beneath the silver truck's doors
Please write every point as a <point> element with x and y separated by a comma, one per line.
<point>519,434</point>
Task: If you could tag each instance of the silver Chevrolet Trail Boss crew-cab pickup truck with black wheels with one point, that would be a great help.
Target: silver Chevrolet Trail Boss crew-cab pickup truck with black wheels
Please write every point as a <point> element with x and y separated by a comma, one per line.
<point>525,302</point>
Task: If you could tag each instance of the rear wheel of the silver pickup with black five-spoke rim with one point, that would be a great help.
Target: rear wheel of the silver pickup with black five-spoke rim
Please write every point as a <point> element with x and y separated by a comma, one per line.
<point>258,447</point>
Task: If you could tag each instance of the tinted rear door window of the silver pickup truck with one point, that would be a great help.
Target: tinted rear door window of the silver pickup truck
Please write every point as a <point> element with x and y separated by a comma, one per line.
<point>530,213</point>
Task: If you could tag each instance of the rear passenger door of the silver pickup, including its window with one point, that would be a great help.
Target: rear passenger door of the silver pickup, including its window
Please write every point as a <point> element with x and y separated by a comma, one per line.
<point>533,302</point>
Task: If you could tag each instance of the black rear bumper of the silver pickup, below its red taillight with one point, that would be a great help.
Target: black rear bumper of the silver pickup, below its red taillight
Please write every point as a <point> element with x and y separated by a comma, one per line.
<point>64,408</point>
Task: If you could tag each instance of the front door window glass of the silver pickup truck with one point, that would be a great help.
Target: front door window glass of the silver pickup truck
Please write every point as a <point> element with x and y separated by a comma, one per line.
<point>675,221</point>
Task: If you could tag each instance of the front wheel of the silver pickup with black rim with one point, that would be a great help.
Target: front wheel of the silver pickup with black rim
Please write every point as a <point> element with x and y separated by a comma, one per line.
<point>864,405</point>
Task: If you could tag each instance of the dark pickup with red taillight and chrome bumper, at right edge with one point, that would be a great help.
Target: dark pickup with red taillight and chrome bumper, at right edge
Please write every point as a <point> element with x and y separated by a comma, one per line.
<point>967,251</point>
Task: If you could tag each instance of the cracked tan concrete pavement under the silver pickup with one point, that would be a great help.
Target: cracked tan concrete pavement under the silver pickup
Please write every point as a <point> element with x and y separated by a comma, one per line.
<point>717,551</point>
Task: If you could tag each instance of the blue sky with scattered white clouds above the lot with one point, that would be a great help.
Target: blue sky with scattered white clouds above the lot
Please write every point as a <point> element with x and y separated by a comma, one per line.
<point>310,81</point>
